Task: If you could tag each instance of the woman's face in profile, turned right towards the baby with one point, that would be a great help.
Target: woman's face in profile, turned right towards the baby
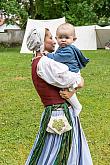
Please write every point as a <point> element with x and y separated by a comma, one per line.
<point>49,43</point>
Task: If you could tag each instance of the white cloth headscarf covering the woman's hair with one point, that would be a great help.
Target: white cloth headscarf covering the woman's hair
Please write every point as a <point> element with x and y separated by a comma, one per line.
<point>35,39</point>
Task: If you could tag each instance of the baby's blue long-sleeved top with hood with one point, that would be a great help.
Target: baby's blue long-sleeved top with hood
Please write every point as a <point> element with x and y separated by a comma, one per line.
<point>71,56</point>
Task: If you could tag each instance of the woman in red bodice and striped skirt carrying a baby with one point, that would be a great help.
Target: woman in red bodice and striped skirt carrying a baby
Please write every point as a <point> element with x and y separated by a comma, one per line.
<point>50,148</point>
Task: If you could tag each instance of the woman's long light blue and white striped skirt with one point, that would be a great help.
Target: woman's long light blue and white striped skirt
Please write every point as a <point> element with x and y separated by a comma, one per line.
<point>79,153</point>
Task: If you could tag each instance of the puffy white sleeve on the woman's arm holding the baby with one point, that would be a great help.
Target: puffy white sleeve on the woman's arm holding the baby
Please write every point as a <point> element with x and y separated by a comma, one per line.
<point>55,73</point>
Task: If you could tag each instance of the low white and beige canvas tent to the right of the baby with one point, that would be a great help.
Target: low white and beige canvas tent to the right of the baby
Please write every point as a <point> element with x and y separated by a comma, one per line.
<point>92,37</point>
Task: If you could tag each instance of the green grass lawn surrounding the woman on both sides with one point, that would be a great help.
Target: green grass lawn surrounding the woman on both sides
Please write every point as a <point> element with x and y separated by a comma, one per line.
<point>20,107</point>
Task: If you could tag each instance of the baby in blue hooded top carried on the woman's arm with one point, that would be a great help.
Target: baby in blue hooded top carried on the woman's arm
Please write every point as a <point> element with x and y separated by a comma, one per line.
<point>68,54</point>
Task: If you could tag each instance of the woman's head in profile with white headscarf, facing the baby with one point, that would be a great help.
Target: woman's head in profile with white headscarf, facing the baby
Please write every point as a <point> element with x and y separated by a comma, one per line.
<point>40,39</point>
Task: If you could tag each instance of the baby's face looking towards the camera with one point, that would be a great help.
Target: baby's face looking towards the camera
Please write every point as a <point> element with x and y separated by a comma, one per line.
<point>64,38</point>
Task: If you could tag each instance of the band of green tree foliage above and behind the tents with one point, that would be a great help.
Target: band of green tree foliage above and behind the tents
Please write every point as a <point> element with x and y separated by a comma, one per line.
<point>77,12</point>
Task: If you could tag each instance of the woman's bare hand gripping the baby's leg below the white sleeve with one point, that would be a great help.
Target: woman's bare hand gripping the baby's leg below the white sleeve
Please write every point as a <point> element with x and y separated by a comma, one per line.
<point>65,94</point>
